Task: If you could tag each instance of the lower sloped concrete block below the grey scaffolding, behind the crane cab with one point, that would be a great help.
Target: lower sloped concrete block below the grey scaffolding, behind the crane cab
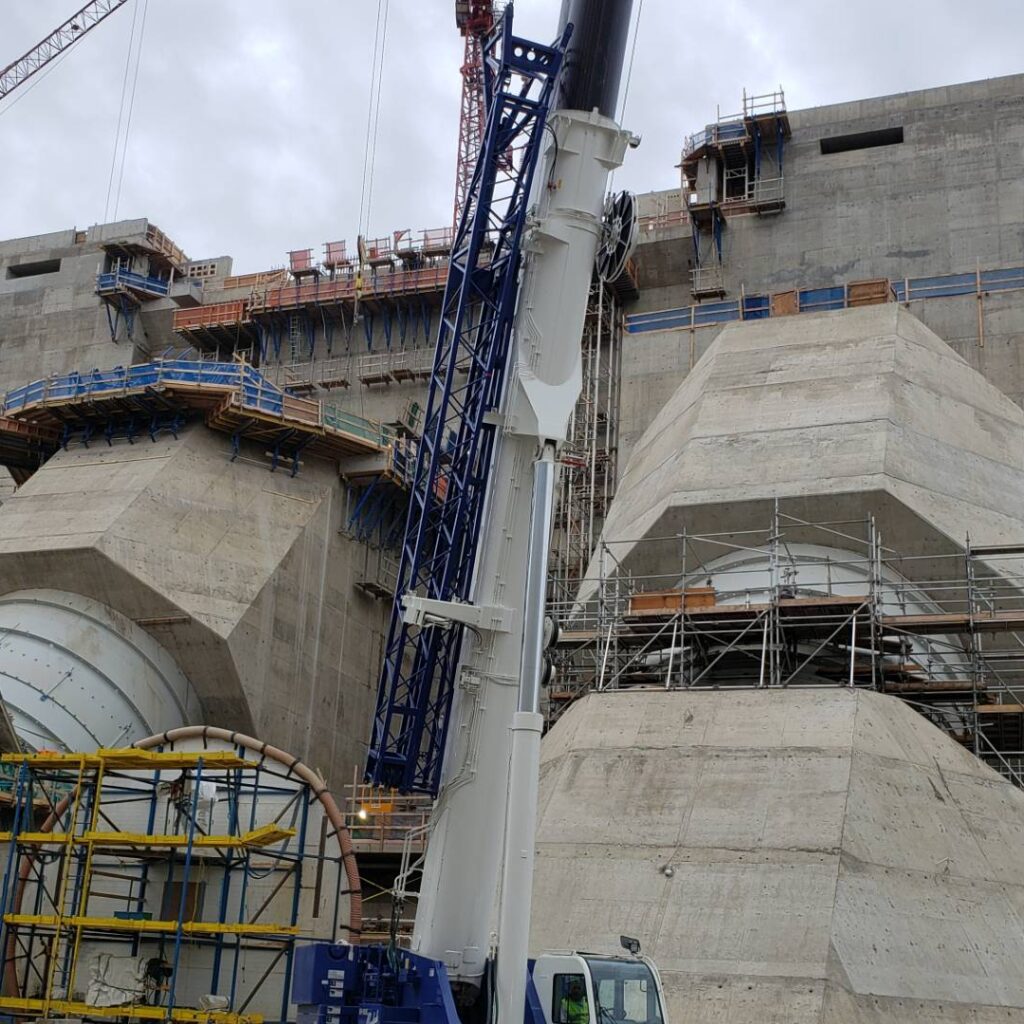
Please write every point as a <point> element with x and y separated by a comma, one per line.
<point>786,857</point>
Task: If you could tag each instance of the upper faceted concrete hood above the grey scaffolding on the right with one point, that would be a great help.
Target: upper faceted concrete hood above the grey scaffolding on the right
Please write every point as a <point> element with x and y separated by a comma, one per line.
<point>865,402</point>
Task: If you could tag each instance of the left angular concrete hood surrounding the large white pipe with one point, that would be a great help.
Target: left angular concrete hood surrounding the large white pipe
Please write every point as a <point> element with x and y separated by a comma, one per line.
<point>243,576</point>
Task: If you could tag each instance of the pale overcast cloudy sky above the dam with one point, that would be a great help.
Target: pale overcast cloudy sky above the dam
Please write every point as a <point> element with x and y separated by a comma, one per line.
<point>250,117</point>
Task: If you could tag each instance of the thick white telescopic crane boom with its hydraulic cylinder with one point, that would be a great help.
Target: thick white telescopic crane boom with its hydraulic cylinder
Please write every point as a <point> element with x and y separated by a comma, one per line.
<point>479,867</point>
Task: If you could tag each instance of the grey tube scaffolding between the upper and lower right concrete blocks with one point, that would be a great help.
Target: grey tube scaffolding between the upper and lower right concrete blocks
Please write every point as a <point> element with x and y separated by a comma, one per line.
<point>801,604</point>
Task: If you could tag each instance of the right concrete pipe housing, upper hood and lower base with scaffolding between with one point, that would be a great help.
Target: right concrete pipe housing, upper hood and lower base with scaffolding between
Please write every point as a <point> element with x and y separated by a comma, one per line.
<point>797,854</point>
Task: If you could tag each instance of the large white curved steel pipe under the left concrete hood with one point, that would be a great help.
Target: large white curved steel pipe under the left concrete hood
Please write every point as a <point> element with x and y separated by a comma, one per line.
<point>76,675</point>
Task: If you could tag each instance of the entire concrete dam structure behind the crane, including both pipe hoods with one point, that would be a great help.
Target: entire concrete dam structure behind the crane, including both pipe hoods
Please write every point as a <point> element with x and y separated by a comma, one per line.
<point>786,728</point>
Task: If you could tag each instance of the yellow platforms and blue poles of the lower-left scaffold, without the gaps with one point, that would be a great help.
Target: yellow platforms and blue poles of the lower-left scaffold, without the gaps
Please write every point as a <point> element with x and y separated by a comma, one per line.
<point>83,835</point>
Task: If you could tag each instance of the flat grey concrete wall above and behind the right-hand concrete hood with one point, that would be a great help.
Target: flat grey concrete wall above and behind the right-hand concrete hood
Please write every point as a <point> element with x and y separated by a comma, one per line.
<point>948,200</point>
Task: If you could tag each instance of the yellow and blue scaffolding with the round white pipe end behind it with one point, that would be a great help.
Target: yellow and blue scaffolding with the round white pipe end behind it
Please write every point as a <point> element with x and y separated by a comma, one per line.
<point>162,886</point>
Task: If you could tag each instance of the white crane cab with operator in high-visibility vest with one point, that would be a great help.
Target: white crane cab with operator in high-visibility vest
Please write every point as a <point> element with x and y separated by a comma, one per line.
<point>591,989</point>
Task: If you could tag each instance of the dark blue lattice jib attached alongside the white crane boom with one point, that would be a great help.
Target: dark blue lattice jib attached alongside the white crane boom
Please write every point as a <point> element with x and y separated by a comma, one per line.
<point>439,551</point>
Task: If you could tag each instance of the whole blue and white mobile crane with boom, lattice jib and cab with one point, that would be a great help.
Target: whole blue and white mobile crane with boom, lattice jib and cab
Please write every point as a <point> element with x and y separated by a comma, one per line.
<point>458,710</point>
